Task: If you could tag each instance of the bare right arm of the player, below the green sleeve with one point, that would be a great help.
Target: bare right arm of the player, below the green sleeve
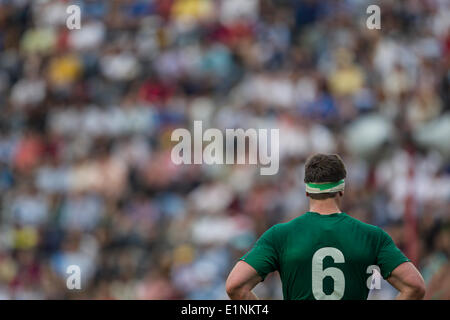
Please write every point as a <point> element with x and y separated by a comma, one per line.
<point>408,280</point>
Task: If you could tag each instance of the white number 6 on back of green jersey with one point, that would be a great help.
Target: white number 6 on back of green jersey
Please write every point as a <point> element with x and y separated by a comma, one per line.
<point>318,274</point>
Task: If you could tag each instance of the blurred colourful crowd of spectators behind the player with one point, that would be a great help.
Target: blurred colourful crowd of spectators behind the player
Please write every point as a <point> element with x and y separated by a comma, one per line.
<point>86,116</point>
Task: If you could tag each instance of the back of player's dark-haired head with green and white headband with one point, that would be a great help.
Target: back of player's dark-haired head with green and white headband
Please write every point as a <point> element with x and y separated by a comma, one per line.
<point>324,176</point>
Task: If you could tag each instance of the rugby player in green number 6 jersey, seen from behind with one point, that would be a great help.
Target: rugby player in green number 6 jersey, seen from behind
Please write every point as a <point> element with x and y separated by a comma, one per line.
<point>324,254</point>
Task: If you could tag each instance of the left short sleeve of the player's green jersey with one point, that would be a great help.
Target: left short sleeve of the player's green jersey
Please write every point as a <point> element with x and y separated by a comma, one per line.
<point>263,257</point>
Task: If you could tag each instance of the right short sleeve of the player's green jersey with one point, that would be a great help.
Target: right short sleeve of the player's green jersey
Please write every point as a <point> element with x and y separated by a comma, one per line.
<point>389,256</point>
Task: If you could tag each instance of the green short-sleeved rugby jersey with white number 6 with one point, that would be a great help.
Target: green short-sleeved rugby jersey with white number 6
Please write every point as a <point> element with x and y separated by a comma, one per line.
<point>324,256</point>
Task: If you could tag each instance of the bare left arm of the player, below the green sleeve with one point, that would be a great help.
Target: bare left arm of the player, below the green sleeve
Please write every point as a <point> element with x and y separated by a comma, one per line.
<point>241,281</point>
